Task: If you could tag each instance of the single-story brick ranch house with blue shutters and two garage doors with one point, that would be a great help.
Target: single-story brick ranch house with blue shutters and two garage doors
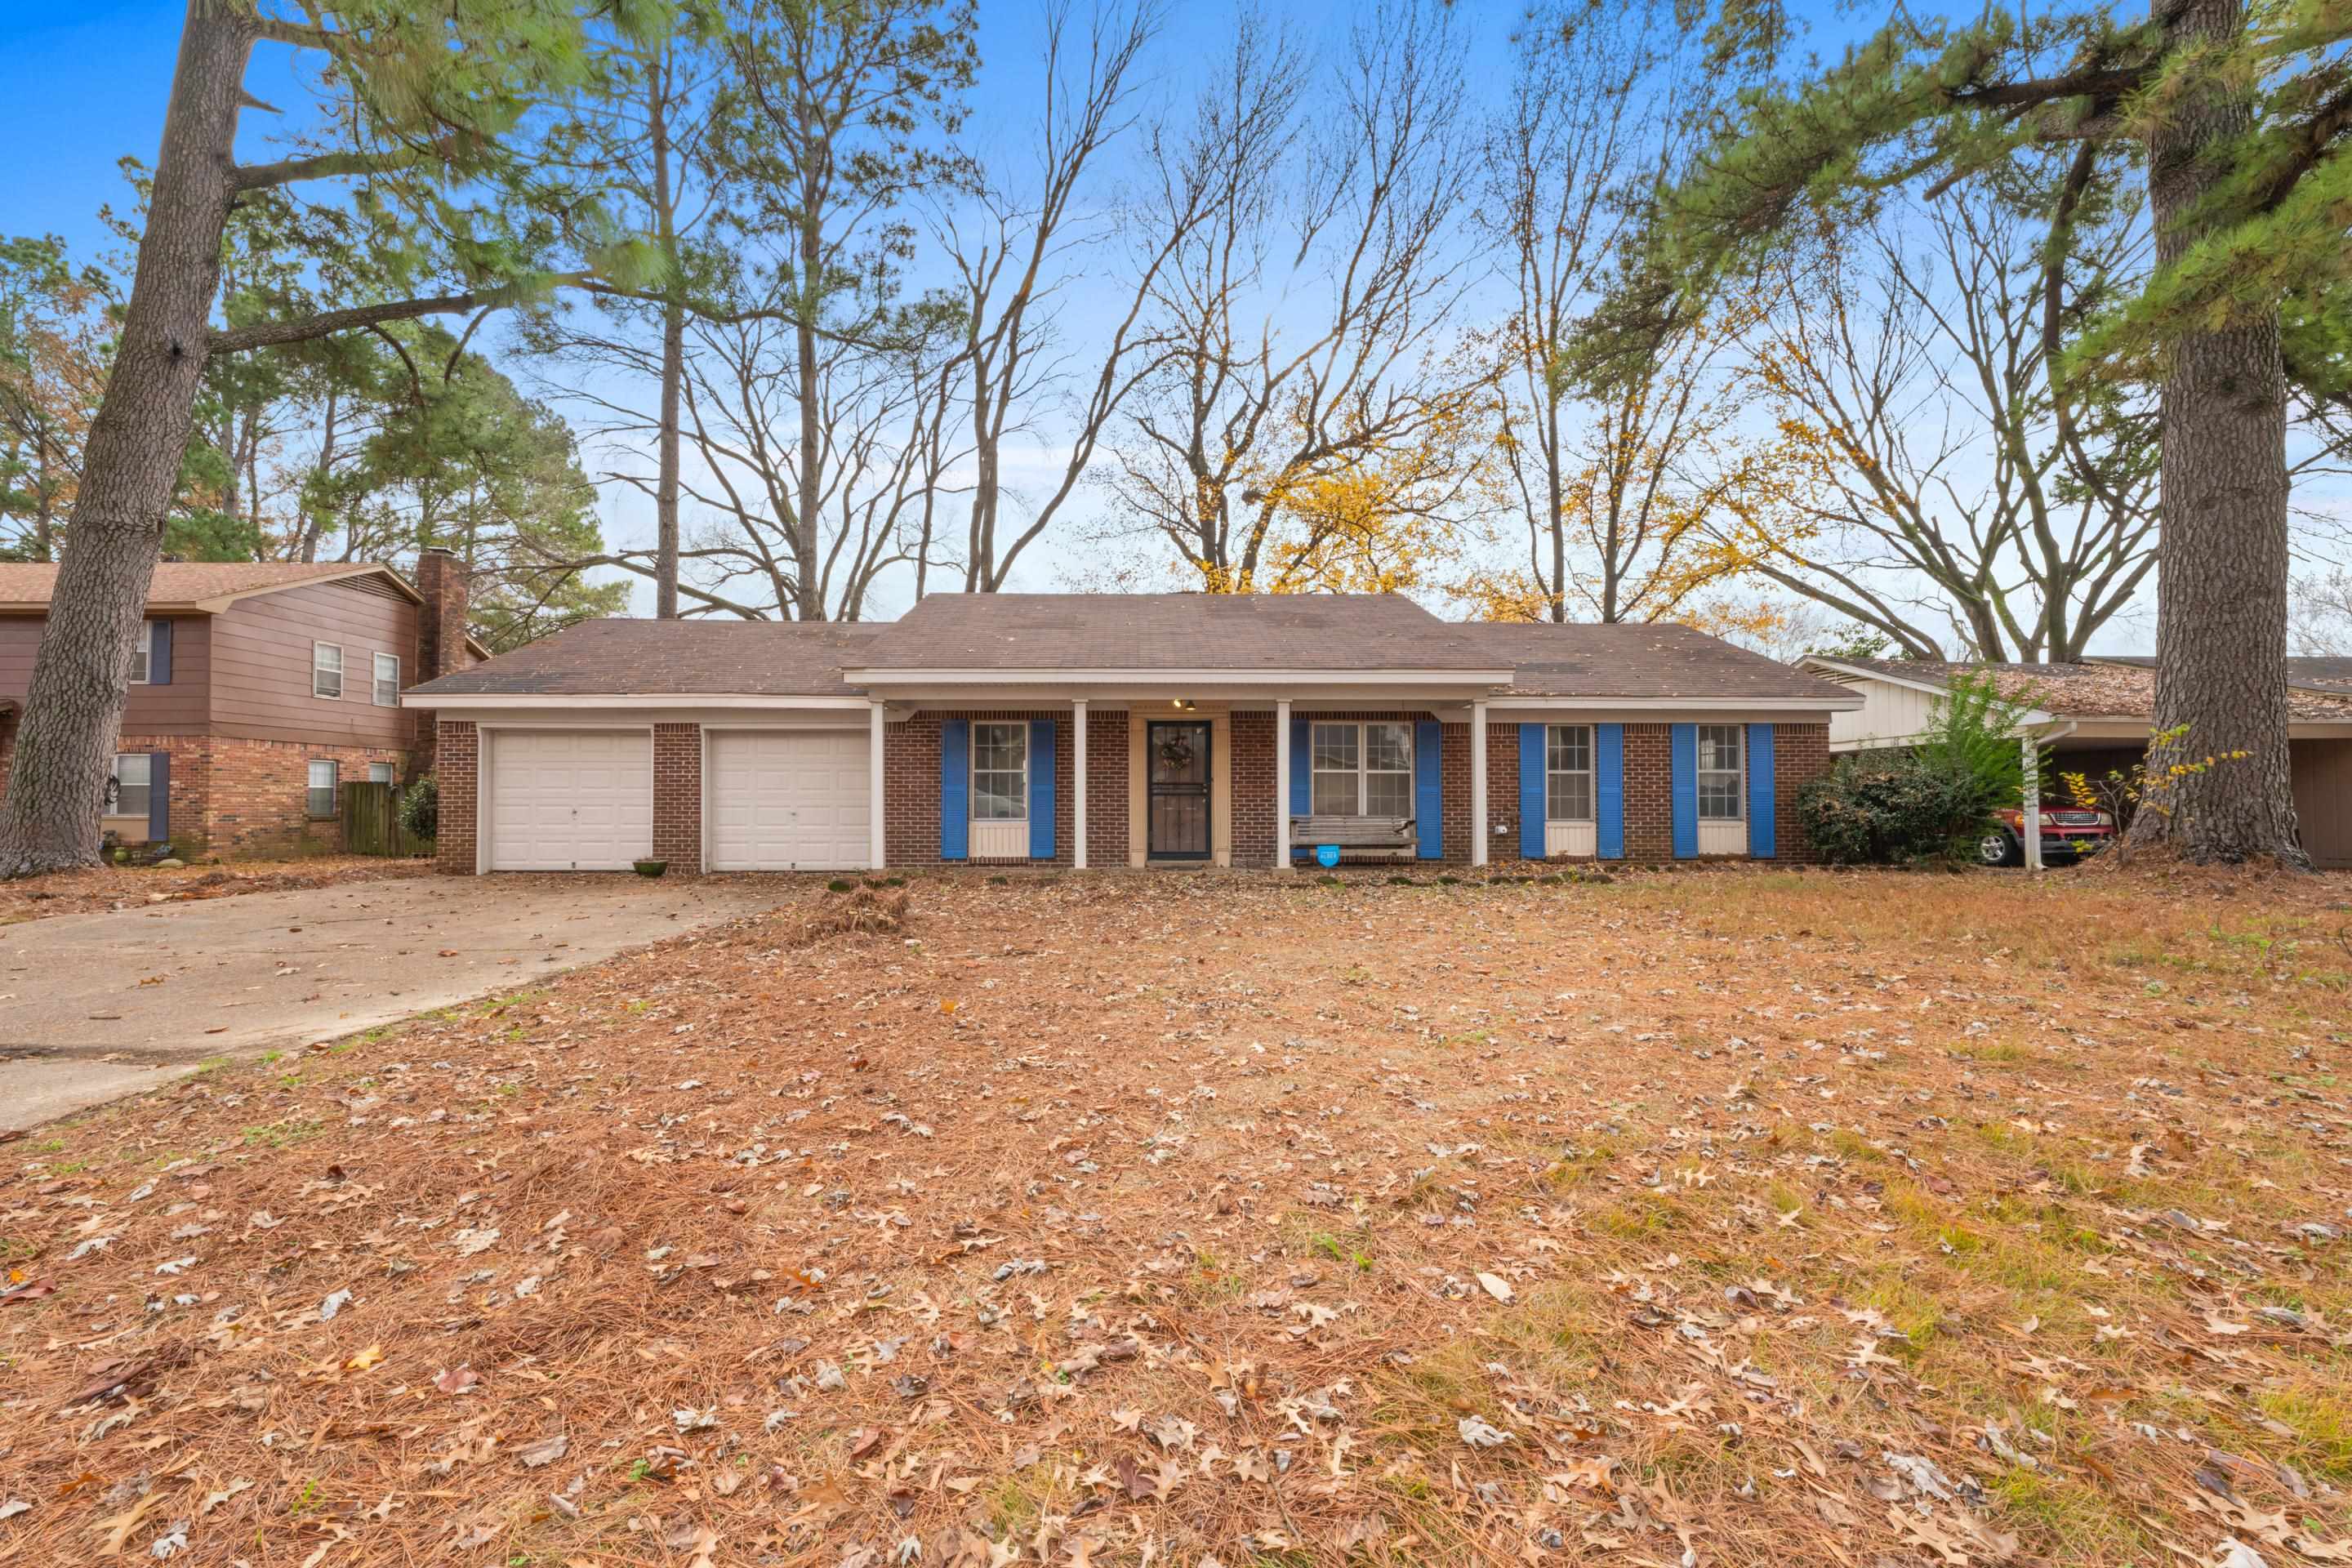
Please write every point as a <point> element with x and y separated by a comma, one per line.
<point>1121,730</point>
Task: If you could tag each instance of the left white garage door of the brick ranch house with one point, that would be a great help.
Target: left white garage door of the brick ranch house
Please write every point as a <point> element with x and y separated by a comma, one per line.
<point>570,800</point>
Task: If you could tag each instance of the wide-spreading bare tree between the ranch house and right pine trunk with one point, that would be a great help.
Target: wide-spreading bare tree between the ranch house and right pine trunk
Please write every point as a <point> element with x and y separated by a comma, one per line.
<point>1949,483</point>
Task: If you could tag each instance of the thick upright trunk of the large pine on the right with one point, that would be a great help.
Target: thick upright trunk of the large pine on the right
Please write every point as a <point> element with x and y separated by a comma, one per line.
<point>2221,610</point>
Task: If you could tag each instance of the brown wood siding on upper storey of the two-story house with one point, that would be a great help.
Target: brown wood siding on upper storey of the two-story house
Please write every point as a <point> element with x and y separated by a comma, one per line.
<point>262,666</point>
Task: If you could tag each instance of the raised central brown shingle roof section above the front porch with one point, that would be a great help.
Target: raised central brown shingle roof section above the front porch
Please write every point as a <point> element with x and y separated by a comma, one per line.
<point>1172,631</point>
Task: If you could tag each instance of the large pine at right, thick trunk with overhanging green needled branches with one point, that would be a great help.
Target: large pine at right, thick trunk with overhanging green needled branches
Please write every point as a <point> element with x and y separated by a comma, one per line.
<point>2240,119</point>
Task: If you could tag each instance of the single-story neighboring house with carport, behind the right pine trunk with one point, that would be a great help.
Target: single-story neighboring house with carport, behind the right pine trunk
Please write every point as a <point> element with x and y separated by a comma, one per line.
<point>2097,718</point>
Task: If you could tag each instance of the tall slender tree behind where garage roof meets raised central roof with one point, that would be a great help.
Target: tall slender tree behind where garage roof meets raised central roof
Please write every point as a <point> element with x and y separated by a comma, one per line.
<point>834,123</point>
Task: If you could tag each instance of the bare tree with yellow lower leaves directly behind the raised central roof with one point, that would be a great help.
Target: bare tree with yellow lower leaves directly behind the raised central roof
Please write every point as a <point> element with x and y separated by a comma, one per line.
<point>1302,427</point>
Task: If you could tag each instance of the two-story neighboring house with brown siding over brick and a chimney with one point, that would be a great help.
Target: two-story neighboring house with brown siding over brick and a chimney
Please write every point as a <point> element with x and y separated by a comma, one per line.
<point>258,692</point>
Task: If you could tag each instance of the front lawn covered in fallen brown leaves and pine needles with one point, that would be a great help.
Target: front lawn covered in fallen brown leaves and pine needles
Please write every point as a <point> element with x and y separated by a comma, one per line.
<point>1690,1219</point>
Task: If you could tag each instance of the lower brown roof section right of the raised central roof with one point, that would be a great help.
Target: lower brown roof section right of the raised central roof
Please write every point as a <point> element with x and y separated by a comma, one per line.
<point>1636,662</point>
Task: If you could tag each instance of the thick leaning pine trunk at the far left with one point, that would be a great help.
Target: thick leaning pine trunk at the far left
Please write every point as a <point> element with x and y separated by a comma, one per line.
<point>81,676</point>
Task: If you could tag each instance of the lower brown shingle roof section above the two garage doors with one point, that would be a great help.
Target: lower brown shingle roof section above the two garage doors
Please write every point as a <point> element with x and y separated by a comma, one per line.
<point>674,659</point>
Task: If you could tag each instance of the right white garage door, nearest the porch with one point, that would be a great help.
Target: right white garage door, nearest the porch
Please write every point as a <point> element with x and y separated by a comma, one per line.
<point>789,800</point>
